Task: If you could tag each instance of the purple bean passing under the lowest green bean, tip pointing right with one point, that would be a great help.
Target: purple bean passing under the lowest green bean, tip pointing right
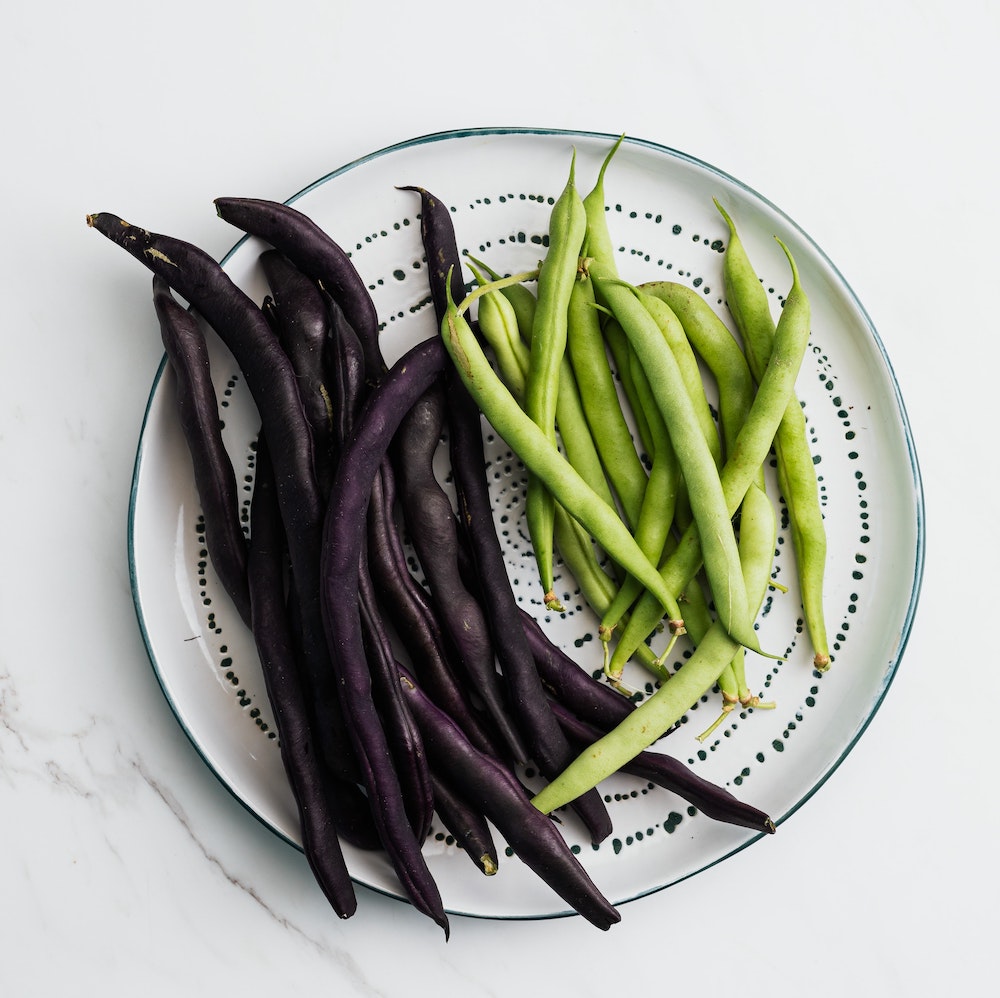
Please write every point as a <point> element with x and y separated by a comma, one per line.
<point>671,774</point>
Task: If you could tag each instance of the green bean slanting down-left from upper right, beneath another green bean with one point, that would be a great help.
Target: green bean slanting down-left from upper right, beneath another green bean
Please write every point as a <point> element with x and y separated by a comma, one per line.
<point>744,462</point>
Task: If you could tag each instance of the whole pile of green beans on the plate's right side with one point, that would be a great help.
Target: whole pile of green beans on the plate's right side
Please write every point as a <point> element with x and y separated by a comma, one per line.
<point>670,488</point>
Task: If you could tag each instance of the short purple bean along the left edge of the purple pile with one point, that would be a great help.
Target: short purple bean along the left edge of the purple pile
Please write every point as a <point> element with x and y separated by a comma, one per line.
<point>198,411</point>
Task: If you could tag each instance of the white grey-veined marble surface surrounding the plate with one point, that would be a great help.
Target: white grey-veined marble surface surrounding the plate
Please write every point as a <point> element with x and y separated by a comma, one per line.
<point>125,866</point>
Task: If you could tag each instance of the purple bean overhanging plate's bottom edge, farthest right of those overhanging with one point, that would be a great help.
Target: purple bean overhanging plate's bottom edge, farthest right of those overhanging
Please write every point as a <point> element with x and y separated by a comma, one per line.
<point>493,789</point>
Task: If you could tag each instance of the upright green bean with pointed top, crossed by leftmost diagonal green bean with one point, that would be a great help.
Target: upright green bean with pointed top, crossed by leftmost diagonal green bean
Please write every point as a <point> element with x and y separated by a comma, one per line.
<point>567,228</point>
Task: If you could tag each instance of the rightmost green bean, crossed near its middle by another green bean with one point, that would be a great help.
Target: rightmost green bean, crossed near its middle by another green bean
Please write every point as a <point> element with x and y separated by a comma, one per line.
<point>751,312</point>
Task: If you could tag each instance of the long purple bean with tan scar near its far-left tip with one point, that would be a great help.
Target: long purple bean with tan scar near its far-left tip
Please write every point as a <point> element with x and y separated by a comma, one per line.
<point>270,378</point>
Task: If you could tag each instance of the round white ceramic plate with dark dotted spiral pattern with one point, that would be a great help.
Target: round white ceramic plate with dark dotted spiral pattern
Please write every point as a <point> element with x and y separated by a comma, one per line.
<point>500,183</point>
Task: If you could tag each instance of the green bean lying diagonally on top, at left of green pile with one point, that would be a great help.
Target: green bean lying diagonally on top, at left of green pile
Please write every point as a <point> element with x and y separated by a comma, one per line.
<point>542,457</point>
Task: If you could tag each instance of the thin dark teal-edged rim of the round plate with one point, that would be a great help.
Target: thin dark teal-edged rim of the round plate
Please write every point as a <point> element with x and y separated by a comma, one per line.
<point>918,498</point>
